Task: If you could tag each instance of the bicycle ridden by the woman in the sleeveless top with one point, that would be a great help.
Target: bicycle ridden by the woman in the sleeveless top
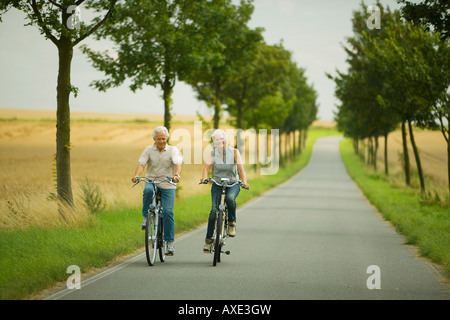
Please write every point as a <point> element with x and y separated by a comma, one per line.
<point>221,221</point>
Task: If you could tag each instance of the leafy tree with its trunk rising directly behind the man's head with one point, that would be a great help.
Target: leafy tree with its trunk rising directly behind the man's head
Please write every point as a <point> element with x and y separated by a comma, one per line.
<point>157,43</point>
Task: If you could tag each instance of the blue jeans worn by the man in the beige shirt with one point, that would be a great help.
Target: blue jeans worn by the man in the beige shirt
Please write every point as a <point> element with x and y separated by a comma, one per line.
<point>167,201</point>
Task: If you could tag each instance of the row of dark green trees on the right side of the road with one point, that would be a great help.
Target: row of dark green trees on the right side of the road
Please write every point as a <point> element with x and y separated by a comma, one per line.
<point>398,75</point>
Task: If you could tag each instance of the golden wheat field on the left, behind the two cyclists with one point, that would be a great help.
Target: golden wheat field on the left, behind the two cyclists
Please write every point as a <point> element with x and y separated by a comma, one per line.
<point>105,150</point>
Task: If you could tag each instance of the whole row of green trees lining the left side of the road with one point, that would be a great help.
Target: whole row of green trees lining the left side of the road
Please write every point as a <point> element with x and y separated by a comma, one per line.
<point>206,44</point>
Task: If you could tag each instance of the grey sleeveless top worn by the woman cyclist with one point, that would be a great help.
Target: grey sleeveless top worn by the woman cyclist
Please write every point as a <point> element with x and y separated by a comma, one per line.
<point>224,167</point>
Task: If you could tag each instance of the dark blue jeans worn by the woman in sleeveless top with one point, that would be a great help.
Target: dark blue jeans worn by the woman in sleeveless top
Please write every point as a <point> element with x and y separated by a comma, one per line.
<point>230,200</point>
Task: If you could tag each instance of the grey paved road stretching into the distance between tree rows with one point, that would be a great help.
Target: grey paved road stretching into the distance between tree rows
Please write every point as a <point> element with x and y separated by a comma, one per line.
<point>313,237</point>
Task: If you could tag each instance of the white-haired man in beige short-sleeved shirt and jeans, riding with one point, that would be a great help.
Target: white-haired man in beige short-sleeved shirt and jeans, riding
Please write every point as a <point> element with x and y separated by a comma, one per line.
<point>162,160</point>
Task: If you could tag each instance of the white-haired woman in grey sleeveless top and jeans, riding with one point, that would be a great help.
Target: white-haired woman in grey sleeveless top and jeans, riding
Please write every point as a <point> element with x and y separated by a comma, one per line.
<point>227,163</point>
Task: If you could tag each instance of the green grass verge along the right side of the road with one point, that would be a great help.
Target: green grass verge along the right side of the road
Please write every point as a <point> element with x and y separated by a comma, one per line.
<point>425,226</point>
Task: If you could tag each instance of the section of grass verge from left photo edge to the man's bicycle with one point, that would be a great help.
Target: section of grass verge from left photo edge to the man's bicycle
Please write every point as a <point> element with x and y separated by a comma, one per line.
<point>37,258</point>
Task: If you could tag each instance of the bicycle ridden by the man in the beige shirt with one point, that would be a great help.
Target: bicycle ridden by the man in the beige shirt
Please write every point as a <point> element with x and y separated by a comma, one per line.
<point>154,228</point>
